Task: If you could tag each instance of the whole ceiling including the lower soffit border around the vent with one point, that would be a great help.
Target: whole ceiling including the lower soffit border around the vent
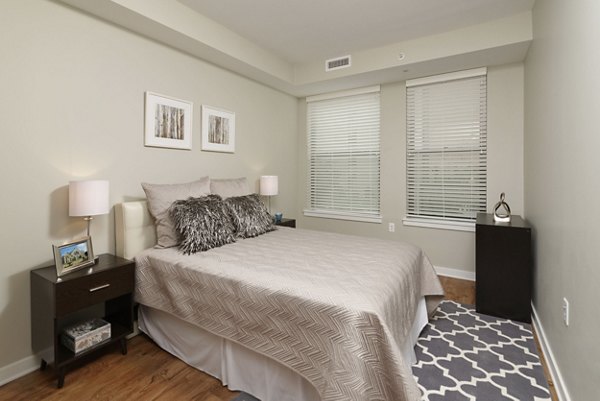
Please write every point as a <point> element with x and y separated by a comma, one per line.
<point>284,43</point>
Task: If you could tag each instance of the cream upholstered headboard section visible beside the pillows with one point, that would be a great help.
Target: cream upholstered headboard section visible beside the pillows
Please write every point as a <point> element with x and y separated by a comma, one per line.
<point>134,228</point>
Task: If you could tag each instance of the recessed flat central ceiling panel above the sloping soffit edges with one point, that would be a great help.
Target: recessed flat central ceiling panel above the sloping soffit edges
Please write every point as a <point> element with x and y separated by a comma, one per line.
<point>304,30</point>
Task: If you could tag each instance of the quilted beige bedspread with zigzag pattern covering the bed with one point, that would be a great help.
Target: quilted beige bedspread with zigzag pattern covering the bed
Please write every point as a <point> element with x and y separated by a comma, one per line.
<point>334,308</point>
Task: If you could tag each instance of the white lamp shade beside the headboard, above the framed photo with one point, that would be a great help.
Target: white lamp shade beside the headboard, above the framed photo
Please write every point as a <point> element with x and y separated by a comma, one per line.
<point>88,198</point>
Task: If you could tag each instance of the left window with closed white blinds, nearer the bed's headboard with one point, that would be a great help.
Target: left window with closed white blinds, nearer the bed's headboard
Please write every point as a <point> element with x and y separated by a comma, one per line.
<point>343,155</point>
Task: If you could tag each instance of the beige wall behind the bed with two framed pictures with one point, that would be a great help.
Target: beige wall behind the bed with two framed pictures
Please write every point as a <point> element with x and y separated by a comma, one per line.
<point>72,107</point>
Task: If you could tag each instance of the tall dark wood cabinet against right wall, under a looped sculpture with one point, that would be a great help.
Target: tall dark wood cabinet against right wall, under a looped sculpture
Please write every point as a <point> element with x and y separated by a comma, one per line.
<point>503,267</point>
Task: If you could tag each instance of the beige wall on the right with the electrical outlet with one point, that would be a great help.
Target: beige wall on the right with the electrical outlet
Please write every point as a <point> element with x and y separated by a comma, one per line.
<point>562,101</point>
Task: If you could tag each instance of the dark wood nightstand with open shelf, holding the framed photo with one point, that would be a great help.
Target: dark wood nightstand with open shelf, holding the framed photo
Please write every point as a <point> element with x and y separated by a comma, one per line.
<point>104,290</point>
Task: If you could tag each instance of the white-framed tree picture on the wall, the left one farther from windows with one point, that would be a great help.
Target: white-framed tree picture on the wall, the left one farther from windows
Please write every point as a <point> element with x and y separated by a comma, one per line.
<point>167,122</point>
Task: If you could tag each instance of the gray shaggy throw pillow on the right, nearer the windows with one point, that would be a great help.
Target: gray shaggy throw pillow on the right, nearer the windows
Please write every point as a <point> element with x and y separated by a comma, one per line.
<point>249,215</point>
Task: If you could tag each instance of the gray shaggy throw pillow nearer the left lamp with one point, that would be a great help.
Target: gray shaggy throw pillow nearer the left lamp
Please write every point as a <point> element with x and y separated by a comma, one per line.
<point>202,223</point>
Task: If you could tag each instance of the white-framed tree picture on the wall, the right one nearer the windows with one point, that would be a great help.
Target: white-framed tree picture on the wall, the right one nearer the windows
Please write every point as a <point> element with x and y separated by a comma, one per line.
<point>218,130</point>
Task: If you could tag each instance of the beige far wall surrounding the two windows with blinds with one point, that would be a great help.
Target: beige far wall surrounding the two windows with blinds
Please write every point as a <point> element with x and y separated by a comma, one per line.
<point>445,248</point>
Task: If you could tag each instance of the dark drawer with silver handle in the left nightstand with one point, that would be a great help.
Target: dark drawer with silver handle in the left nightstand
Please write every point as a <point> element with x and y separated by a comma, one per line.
<point>72,295</point>
